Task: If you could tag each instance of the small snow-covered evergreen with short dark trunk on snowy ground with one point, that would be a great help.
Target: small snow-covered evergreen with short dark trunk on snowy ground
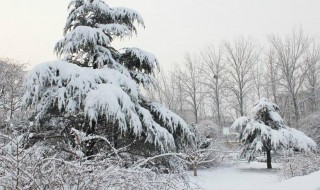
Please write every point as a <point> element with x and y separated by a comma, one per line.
<point>266,131</point>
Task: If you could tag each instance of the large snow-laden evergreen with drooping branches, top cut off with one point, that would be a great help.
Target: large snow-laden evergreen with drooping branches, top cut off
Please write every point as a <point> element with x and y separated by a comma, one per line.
<point>95,88</point>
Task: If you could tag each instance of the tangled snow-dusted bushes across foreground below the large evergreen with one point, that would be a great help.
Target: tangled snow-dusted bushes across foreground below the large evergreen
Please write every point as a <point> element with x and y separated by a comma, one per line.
<point>37,168</point>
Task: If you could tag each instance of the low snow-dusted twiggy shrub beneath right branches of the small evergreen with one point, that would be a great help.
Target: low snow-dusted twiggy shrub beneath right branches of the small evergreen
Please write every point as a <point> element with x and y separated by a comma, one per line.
<point>299,165</point>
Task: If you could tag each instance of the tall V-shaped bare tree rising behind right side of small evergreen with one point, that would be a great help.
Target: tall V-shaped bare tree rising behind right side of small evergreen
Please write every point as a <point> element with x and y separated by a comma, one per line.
<point>291,62</point>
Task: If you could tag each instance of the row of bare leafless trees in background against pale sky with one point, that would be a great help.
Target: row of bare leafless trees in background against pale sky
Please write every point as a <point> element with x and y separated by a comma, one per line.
<point>222,82</point>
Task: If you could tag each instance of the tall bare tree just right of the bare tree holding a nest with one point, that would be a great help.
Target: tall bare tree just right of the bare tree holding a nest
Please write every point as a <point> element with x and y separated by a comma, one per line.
<point>240,57</point>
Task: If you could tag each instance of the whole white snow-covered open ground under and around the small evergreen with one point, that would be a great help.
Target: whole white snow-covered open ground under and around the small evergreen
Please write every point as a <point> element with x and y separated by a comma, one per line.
<point>252,176</point>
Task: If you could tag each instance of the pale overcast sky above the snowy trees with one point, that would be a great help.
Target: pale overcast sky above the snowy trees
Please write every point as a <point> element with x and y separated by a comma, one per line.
<point>29,29</point>
